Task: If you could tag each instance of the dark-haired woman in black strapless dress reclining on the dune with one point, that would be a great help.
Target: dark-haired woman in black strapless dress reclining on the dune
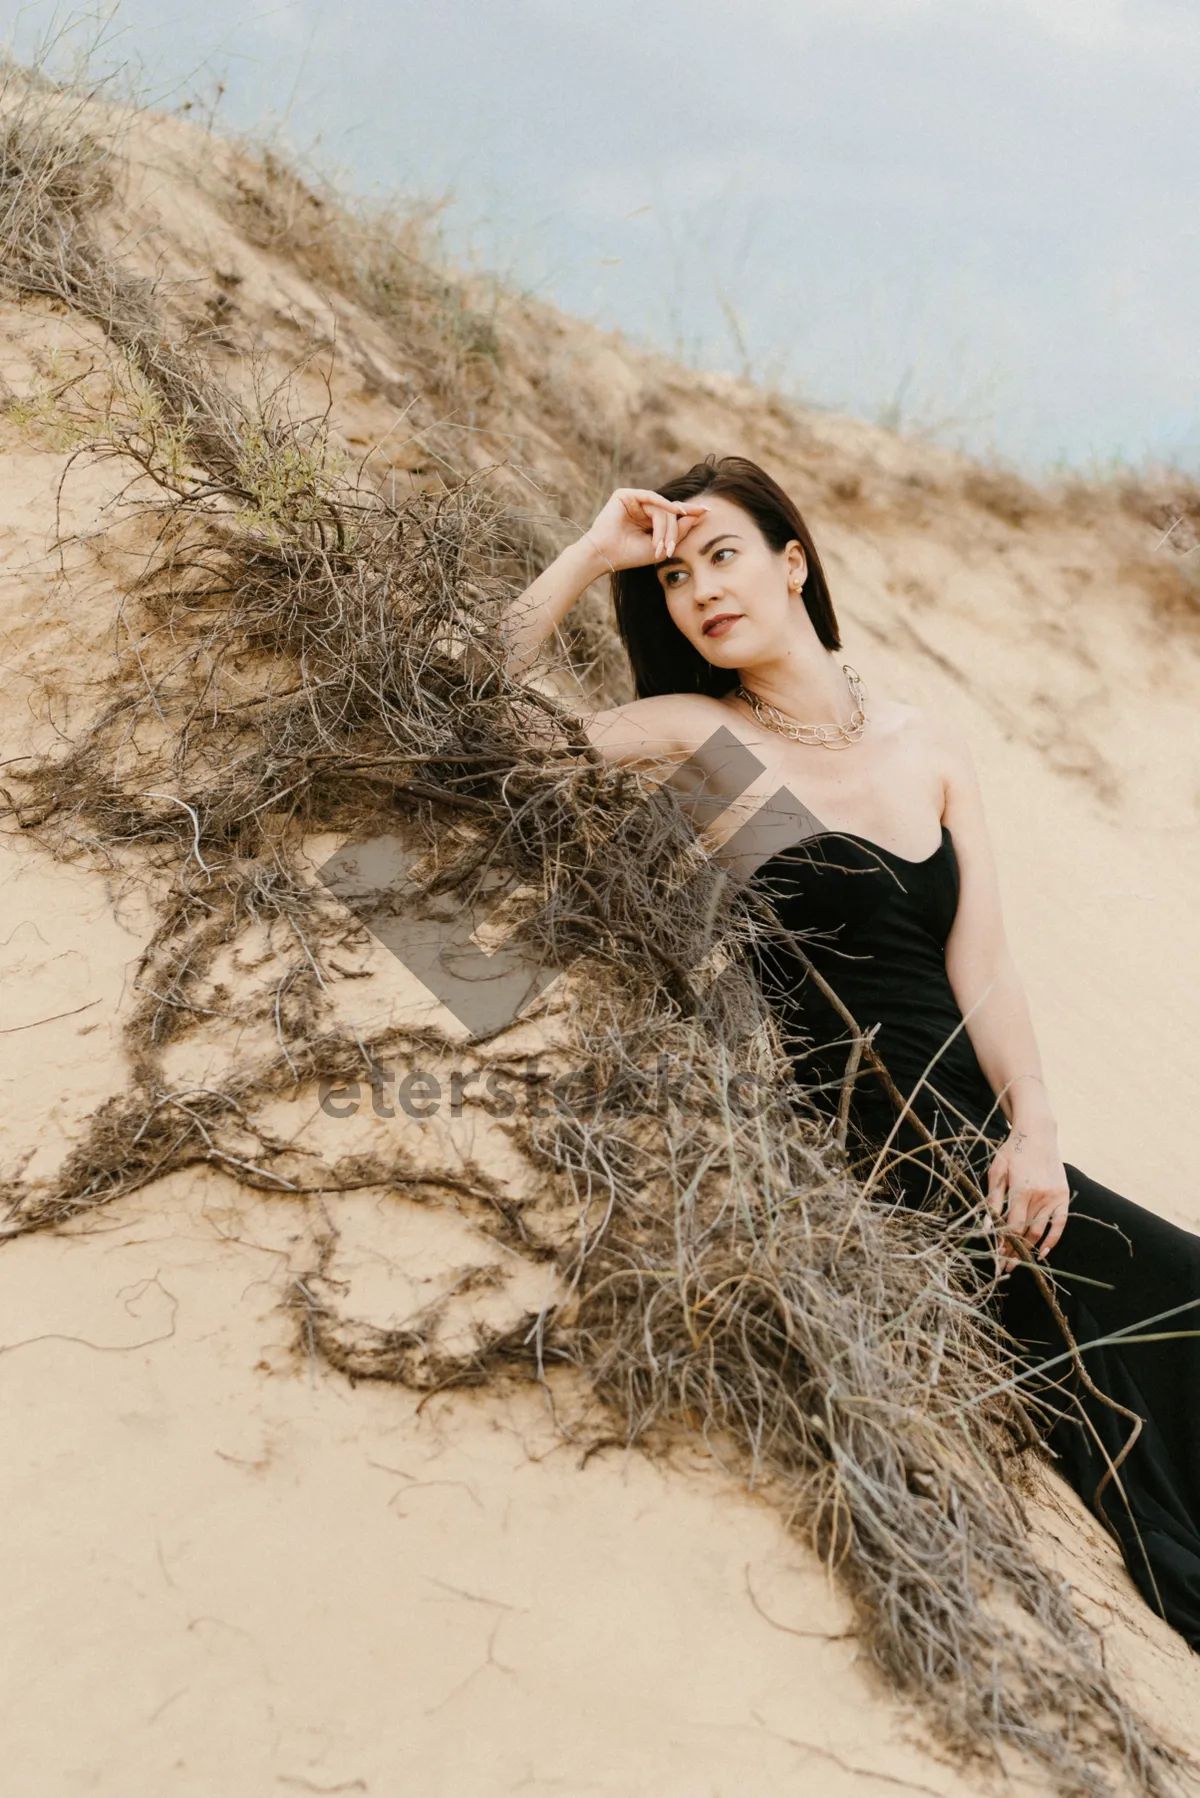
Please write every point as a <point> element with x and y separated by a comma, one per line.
<point>879,853</point>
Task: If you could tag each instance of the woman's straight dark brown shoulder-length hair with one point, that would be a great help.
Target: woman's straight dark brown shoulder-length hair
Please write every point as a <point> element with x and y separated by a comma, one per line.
<point>661,657</point>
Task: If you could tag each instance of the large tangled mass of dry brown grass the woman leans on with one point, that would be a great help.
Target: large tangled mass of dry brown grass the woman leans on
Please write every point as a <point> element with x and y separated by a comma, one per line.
<point>305,655</point>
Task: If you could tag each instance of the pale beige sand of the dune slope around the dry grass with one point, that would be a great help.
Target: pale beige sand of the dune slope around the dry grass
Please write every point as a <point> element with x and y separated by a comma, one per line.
<point>224,1567</point>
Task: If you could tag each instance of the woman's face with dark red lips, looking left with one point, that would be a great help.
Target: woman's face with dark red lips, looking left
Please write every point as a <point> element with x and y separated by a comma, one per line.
<point>728,591</point>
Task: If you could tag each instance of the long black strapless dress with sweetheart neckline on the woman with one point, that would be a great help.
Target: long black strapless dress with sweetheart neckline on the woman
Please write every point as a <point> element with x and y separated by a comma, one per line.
<point>875,927</point>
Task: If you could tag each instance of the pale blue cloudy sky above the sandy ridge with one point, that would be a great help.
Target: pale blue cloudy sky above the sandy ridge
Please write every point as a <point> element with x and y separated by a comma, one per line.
<point>974,217</point>
